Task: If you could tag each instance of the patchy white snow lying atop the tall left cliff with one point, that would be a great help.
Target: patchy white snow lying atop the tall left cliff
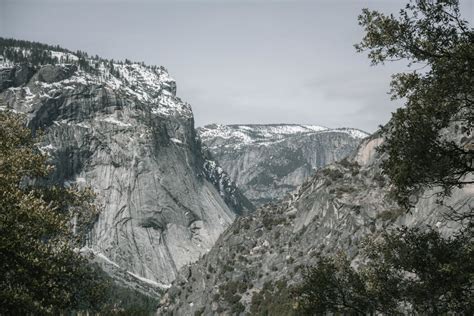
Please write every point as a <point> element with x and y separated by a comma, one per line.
<point>151,85</point>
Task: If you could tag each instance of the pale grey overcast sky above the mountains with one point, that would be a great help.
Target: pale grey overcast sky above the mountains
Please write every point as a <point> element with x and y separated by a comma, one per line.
<point>252,61</point>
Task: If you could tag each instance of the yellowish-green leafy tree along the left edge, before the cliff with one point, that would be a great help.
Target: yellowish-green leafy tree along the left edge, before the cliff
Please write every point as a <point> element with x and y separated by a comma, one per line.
<point>40,272</point>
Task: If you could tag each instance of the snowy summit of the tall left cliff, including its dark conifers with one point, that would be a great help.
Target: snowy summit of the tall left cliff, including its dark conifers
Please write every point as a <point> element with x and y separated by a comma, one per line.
<point>59,69</point>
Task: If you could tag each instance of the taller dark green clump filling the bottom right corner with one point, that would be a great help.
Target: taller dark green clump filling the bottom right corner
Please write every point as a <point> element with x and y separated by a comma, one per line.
<point>421,271</point>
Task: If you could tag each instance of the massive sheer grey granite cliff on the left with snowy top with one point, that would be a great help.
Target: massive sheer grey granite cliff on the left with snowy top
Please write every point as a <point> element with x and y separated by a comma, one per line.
<point>120,129</point>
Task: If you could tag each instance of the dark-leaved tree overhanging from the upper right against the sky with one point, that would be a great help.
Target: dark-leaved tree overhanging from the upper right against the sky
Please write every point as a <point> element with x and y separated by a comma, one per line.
<point>428,142</point>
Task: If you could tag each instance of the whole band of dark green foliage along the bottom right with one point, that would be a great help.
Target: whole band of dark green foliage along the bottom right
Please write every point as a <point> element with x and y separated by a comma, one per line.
<point>406,271</point>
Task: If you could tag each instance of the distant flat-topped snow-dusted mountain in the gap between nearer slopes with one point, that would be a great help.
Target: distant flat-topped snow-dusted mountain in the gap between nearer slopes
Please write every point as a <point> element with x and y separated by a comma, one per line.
<point>269,161</point>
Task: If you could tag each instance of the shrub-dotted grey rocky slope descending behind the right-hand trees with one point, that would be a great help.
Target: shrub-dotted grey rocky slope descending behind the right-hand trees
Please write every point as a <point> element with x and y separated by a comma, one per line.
<point>334,209</point>
